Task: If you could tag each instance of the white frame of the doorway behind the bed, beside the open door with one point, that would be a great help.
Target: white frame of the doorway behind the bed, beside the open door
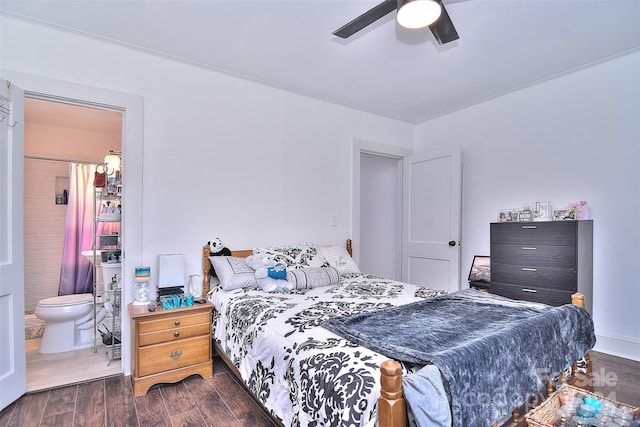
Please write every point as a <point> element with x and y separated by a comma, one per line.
<point>362,146</point>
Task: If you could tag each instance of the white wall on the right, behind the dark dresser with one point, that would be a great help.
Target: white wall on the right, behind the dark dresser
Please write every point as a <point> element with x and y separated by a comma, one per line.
<point>576,137</point>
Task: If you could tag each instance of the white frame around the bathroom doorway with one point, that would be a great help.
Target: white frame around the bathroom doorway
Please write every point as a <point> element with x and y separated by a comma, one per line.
<point>132,107</point>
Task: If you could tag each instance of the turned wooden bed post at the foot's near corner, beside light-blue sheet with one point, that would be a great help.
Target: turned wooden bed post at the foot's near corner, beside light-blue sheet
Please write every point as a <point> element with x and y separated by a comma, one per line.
<point>392,410</point>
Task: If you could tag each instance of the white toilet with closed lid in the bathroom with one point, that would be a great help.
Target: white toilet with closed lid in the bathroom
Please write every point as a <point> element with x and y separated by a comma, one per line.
<point>68,322</point>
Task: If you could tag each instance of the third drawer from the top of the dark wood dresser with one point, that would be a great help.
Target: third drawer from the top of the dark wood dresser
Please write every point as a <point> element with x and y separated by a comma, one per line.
<point>534,277</point>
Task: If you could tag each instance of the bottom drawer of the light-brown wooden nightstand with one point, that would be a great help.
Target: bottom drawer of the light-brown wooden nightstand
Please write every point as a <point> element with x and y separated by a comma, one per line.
<point>172,355</point>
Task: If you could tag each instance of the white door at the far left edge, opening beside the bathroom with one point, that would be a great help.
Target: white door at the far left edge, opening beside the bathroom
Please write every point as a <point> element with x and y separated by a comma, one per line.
<point>13,370</point>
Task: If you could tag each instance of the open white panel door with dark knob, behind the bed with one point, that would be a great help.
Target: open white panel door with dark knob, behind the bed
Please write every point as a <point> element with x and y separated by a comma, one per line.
<point>431,209</point>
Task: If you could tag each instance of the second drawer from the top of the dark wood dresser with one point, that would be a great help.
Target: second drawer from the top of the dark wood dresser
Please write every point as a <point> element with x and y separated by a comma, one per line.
<point>535,255</point>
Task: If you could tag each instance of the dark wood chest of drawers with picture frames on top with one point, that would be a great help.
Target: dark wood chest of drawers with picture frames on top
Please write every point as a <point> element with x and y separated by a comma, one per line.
<point>542,261</point>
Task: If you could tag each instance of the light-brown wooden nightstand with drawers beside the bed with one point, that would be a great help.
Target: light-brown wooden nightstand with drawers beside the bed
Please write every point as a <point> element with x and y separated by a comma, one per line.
<point>170,345</point>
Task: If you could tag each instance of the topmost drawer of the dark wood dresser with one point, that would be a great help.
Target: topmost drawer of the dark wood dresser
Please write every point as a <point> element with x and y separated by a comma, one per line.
<point>553,233</point>
